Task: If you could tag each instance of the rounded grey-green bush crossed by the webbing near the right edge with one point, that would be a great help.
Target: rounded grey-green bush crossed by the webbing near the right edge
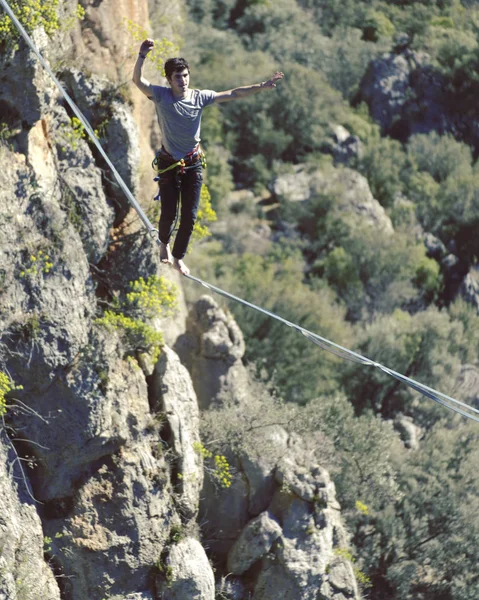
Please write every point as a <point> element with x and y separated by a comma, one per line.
<point>427,346</point>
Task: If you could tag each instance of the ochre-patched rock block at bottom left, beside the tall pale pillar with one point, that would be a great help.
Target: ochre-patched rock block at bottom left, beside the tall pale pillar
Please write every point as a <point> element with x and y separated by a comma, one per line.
<point>110,536</point>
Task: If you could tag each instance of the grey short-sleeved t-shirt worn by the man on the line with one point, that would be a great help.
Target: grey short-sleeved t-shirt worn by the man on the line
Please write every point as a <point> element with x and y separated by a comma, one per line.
<point>180,120</point>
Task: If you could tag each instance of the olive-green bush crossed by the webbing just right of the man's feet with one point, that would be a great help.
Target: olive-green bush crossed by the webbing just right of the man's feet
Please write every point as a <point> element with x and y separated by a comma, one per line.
<point>276,284</point>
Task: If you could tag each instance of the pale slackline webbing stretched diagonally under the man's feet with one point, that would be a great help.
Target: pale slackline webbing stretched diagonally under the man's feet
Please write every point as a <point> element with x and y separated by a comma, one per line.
<point>446,401</point>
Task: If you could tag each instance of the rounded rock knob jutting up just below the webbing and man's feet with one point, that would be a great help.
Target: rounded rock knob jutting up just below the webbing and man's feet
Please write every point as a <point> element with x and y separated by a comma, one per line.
<point>211,349</point>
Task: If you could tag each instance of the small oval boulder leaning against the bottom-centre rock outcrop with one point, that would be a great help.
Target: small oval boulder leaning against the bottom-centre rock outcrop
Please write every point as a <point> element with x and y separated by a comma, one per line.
<point>254,542</point>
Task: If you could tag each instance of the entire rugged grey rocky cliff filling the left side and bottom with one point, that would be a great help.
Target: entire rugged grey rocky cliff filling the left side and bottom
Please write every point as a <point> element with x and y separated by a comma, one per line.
<point>102,485</point>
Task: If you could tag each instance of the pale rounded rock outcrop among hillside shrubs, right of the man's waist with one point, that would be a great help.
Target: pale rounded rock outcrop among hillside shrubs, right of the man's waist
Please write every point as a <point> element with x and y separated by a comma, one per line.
<point>355,203</point>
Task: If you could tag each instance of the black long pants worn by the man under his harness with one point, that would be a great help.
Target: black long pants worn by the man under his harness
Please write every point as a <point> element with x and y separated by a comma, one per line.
<point>173,186</point>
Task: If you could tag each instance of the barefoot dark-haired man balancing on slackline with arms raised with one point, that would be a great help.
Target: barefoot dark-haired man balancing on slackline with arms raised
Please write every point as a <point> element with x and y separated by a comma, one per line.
<point>179,110</point>
